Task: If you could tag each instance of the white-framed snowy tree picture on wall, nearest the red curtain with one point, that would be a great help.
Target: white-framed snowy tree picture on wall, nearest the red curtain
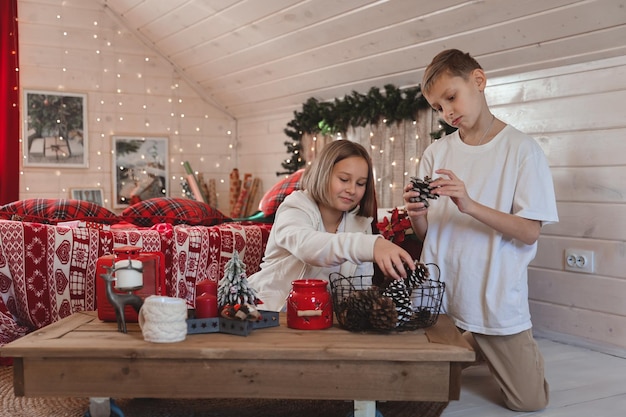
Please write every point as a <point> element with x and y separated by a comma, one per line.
<point>55,129</point>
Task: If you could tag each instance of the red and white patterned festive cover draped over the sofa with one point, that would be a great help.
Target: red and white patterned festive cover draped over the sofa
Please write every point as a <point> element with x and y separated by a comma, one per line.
<point>48,272</point>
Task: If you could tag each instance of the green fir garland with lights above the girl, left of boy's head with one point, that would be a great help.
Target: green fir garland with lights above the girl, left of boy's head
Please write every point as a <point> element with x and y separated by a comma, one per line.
<point>394,105</point>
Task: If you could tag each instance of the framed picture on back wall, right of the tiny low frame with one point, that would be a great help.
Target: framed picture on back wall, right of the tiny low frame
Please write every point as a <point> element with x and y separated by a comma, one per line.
<point>140,169</point>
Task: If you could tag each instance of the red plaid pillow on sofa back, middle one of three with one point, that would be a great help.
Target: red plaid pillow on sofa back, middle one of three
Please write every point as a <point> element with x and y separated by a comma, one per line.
<point>173,211</point>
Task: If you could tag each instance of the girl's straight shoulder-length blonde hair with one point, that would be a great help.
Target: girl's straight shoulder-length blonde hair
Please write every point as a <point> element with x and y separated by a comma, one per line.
<point>316,178</point>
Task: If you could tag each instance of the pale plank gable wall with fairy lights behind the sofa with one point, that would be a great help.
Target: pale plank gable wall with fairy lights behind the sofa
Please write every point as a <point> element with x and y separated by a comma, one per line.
<point>130,91</point>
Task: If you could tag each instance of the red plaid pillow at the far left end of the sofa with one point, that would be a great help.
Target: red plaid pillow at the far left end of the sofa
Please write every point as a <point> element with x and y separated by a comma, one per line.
<point>53,211</point>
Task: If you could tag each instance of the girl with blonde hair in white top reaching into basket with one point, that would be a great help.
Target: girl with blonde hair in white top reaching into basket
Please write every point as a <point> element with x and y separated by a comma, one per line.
<point>327,227</point>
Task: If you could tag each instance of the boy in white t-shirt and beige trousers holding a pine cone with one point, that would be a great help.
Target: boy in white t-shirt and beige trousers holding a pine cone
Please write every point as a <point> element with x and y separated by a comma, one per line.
<point>497,192</point>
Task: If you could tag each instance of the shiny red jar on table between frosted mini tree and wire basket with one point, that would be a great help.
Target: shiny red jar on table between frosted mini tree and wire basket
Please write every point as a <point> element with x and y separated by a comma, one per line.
<point>309,305</point>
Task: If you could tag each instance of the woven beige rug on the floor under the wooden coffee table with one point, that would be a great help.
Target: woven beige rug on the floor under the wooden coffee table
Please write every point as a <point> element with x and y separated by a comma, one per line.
<point>11,406</point>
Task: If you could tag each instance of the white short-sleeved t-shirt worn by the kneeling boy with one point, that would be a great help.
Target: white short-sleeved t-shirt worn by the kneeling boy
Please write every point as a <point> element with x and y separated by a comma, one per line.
<point>486,272</point>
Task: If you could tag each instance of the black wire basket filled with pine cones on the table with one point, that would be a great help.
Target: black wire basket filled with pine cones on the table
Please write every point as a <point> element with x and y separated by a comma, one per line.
<point>408,304</point>
